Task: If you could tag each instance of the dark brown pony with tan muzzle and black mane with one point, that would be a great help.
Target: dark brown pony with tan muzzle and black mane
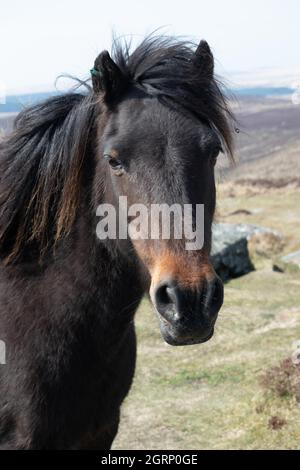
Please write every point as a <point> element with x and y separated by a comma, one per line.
<point>150,128</point>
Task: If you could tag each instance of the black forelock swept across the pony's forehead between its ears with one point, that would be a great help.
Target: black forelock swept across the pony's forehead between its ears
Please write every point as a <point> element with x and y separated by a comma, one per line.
<point>164,67</point>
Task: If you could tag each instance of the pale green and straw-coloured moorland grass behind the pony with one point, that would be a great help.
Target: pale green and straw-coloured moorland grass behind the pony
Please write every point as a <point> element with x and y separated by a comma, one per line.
<point>211,396</point>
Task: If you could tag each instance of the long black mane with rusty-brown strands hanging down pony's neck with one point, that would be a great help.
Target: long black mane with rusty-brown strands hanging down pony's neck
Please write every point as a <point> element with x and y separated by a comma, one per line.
<point>41,169</point>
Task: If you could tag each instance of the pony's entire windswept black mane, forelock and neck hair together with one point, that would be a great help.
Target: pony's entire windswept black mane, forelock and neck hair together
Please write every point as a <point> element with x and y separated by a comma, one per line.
<point>42,160</point>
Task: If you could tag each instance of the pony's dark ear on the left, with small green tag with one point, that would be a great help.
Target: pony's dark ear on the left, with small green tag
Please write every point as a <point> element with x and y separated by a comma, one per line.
<point>107,77</point>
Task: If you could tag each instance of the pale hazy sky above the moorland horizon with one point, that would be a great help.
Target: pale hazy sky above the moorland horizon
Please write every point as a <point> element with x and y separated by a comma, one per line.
<point>41,39</point>
